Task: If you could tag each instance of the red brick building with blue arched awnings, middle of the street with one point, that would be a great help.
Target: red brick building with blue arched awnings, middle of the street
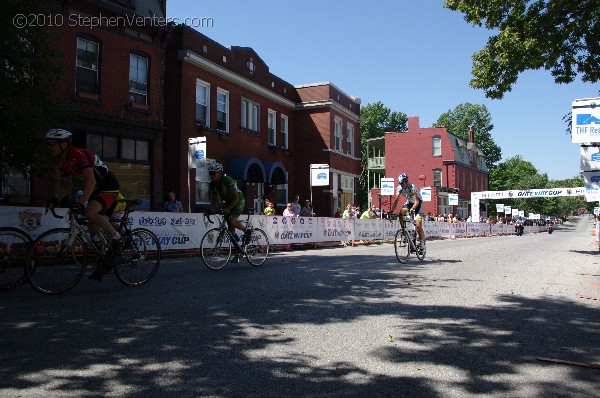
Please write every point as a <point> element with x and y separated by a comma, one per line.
<point>265,131</point>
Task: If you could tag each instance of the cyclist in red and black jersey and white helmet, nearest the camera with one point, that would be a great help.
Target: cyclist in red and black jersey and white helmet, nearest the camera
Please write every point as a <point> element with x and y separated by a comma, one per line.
<point>101,187</point>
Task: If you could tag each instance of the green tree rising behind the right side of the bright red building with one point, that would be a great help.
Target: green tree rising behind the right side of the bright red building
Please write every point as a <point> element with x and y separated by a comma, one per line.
<point>457,122</point>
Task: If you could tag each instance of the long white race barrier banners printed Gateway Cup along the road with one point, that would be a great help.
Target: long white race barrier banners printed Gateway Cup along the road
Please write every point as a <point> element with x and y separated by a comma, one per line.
<point>184,231</point>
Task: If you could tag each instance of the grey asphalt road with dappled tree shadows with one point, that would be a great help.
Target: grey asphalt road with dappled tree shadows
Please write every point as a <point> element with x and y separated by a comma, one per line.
<point>473,319</point>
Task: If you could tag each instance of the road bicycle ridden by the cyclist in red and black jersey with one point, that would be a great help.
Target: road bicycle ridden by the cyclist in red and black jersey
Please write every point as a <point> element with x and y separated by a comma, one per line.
<point>59,257</point>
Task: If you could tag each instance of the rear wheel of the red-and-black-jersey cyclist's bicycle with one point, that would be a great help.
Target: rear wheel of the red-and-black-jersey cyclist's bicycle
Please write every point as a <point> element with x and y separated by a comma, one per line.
<point>139,258</point>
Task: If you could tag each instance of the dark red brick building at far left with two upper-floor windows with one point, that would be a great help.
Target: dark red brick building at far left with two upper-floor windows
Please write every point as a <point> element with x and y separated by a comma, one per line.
<point>113,69</point>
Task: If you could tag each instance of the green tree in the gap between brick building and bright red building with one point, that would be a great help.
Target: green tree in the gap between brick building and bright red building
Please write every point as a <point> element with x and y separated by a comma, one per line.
<point>376,120</point>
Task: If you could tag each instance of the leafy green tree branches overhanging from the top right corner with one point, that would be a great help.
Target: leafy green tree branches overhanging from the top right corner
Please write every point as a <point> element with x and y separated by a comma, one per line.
<point>557,35</point>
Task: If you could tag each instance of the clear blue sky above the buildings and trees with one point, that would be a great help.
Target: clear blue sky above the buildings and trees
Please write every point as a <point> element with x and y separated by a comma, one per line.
<point>412,55</point>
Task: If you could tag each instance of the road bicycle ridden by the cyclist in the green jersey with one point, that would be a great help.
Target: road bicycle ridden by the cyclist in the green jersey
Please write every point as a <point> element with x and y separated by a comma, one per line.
<point>219,244</point>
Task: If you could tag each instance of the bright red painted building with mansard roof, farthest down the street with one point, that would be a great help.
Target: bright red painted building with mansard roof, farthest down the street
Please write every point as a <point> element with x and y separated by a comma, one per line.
<point>433,157</point>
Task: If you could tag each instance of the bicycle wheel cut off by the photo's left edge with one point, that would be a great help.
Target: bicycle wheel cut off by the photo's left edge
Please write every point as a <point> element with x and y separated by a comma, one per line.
<point>14,246</point>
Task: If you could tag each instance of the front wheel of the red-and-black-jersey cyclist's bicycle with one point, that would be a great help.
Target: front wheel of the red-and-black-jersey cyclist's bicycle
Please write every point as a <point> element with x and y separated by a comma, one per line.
<point>56,261</point>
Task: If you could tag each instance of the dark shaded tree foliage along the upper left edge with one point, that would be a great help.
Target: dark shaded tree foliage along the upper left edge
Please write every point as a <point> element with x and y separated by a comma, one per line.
<point>29,103</point>
